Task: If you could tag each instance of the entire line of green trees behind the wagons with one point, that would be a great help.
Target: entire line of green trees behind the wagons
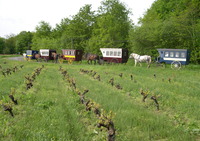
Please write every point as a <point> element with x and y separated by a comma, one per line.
<point>167,24</point>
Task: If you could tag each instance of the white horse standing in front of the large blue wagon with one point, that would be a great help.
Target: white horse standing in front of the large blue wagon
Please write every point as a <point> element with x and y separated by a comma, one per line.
<point>139,59</point>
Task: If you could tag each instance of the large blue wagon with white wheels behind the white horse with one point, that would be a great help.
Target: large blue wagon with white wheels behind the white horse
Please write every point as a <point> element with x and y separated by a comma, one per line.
<point>175,57</point>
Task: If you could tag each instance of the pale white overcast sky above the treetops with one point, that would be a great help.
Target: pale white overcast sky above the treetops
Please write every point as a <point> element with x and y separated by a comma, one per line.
<point>25,15</point>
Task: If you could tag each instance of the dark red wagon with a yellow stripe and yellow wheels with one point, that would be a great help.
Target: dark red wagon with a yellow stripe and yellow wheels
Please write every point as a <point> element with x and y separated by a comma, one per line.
<point>72,55</point>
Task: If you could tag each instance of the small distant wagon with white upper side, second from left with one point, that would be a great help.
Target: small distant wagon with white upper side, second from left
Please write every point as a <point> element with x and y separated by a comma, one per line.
<point>46,54</point>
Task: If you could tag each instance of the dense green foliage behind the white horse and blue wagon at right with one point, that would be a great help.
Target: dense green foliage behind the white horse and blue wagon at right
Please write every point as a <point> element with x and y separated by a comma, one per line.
<point>169,24</point>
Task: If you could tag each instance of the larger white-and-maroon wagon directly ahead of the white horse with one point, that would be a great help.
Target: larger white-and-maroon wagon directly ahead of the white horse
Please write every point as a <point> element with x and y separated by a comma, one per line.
<point>115,55</point>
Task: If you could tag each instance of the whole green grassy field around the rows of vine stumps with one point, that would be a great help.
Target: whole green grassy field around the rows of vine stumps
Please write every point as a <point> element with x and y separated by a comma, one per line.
<point>51,109</point>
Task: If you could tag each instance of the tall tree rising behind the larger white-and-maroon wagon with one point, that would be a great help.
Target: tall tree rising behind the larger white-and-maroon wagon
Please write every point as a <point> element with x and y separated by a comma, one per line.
<point>112,26</point>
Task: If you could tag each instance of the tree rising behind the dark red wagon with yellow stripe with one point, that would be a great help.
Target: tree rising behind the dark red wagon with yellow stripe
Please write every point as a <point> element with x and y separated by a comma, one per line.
<point>78,30</point>
